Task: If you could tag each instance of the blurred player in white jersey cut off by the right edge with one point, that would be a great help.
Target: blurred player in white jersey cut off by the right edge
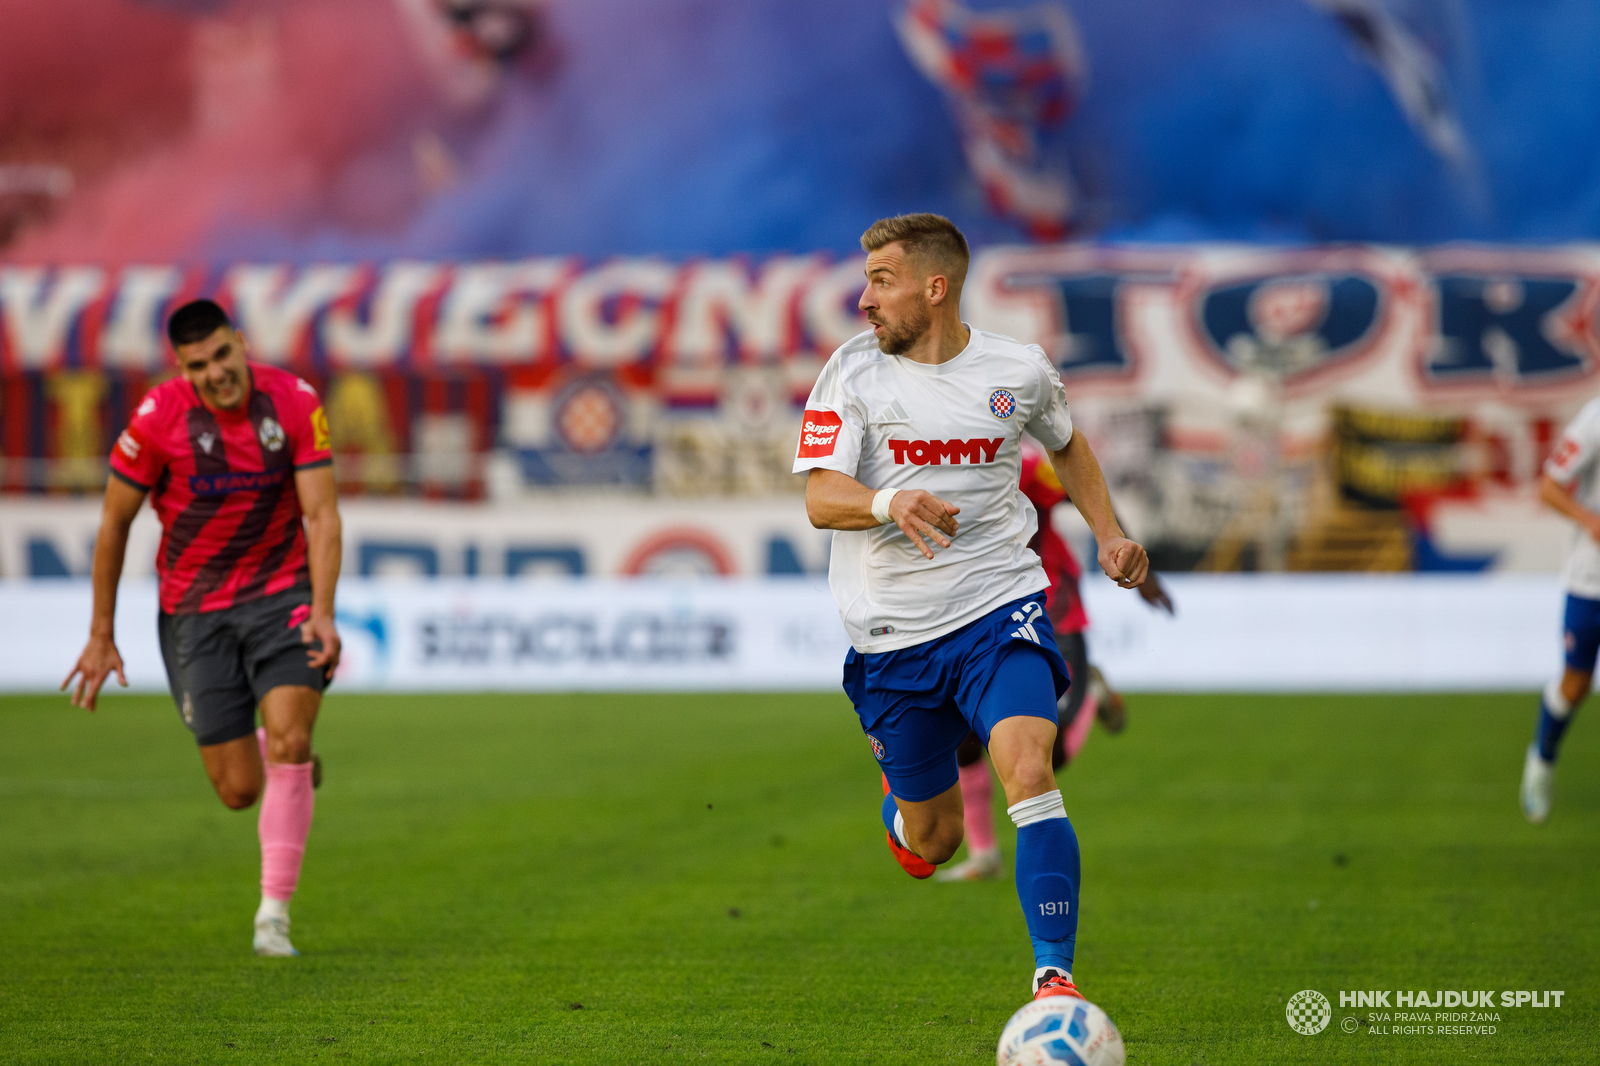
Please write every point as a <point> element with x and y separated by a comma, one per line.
<point>1570,484</point>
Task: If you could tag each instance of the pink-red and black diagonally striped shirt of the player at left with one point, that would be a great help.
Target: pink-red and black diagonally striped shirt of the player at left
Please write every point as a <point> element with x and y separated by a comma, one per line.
<point>223,486</point>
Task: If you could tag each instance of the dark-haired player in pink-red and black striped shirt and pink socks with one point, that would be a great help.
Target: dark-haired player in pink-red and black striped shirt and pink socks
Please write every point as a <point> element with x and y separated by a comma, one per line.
<point>238,465</point>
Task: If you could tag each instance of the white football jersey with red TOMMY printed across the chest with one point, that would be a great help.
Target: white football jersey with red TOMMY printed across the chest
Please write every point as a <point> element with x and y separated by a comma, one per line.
<point>953,431</point>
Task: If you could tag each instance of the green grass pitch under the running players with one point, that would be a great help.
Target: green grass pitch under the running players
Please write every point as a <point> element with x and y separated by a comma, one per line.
<point>708,880</point>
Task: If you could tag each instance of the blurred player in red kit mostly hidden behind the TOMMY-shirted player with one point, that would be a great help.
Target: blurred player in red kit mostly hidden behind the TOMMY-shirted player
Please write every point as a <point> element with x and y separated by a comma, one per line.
<point>1089,700</point>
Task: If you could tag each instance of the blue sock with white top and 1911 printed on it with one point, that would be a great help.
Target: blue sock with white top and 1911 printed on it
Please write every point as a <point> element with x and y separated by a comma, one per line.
<point>1047,878</point>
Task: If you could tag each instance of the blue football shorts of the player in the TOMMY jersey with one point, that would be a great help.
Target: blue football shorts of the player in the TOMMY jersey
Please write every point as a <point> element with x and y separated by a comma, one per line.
<point>918,705</point>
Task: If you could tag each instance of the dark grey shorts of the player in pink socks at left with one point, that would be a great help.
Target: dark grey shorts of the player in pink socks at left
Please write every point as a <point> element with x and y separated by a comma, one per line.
<point>222,663</point>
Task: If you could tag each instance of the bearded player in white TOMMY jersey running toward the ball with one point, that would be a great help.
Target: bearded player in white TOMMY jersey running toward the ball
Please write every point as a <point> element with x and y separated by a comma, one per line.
<point>913,449</point>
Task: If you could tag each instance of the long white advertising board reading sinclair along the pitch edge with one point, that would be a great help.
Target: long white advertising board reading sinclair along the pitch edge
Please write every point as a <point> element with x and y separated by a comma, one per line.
<point>1292,633</point>
